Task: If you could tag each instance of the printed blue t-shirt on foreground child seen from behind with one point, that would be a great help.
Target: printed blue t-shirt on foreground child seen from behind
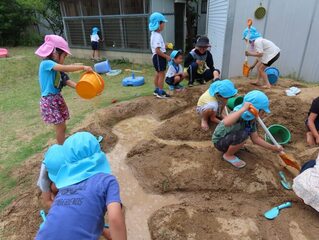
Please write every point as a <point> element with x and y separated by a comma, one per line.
<point>78,210</point>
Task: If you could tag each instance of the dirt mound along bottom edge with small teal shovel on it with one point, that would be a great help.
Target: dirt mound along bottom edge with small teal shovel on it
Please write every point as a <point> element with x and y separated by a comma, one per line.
<point>232,216</point>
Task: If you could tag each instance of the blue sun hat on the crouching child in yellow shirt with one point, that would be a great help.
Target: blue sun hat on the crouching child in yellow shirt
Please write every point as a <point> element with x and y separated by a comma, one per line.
<point>224,88</point>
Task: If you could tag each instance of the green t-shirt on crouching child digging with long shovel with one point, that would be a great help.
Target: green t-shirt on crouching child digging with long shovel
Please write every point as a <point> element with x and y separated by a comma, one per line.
<point>221,130</point>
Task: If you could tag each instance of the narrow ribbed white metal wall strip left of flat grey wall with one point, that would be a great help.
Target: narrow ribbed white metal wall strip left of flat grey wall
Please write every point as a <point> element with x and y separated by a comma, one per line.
<point>216,27</point>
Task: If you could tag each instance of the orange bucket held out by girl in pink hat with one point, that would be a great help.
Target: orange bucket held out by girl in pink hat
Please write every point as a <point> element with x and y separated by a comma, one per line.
<point>90,85</point>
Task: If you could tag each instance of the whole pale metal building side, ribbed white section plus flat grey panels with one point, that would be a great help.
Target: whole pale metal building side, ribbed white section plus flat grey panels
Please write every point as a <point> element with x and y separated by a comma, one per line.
<point>293,25</point>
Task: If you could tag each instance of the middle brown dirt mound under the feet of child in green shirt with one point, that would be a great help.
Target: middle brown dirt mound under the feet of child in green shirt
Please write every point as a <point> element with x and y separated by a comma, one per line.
<point>164,168</point>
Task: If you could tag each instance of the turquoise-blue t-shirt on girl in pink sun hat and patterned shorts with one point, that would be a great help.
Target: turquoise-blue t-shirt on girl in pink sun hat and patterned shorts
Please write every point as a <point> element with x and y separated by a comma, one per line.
<point>47,78</point>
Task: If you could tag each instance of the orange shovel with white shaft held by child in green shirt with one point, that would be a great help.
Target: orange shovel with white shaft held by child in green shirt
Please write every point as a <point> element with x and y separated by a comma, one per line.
<point>287,160</point>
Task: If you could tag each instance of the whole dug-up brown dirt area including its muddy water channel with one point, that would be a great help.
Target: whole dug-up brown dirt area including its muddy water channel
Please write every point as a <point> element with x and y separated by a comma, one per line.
<point>174,184</point>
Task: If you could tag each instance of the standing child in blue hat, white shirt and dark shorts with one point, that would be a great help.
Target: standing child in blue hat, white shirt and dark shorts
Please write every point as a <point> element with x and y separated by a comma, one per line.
<point>156,26</point>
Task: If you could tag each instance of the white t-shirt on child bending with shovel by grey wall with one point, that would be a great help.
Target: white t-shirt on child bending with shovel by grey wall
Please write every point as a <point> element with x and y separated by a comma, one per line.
<point>268,48</point>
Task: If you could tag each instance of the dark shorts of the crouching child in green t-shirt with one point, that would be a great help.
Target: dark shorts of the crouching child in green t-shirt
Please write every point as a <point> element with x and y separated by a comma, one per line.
<point>233,138</point>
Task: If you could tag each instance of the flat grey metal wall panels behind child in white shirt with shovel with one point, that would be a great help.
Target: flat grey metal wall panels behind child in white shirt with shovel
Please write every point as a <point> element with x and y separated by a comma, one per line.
<point>293,25</point>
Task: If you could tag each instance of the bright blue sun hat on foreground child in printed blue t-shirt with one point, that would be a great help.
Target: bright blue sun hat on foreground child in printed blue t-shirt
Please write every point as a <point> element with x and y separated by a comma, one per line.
<point>84,159</point>
